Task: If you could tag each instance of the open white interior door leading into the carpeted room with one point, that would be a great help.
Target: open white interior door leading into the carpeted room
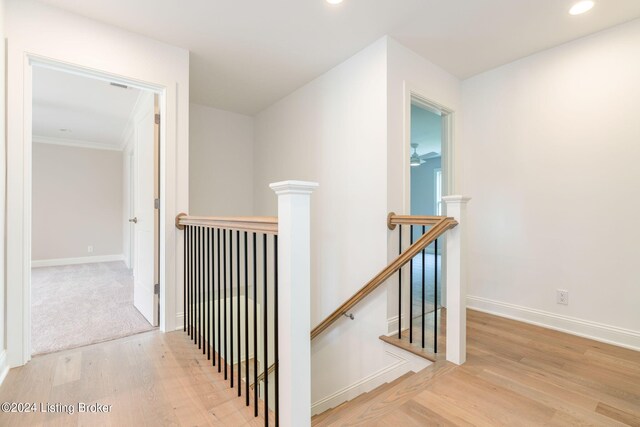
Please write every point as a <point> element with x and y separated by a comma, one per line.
<point>145,298</point>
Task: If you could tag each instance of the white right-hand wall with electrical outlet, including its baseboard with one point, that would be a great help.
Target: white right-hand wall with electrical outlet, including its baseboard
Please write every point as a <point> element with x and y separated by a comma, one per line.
<point>551,150</point>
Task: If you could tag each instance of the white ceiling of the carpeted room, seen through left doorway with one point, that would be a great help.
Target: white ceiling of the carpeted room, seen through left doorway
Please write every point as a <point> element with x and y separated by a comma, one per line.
<point>94,112</point>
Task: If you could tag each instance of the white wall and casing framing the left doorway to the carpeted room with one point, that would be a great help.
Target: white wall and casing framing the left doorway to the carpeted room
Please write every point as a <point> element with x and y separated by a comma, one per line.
<point>36,29</point>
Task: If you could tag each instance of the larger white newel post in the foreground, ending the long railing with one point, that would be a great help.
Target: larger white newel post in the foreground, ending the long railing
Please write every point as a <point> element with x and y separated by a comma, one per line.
<point>294,300</point>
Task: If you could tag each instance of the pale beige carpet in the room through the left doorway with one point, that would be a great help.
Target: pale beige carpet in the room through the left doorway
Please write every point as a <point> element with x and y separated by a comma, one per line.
<point>77,305</point>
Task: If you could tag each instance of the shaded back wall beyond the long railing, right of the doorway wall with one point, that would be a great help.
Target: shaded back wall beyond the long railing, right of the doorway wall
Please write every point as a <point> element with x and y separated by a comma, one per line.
<point>220,162</point>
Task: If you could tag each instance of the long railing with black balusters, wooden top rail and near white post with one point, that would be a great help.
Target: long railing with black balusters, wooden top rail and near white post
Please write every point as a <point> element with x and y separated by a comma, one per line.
<point>240,277</point>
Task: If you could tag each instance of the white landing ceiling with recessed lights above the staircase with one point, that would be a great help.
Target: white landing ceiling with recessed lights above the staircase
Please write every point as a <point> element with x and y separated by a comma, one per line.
<point>247,54</point>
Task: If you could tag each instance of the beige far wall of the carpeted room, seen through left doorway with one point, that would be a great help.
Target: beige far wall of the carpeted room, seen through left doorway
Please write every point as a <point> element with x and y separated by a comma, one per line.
<point>77,202</point>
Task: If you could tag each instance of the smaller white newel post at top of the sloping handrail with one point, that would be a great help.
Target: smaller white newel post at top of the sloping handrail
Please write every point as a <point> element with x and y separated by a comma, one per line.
<point>456,281</point>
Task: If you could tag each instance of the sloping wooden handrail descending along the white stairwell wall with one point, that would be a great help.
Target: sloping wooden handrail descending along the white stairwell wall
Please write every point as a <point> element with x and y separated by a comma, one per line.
<point>439,227</point>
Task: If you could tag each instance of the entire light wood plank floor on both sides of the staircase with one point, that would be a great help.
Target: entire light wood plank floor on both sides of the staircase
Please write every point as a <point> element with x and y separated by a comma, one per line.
<point>516,375</point>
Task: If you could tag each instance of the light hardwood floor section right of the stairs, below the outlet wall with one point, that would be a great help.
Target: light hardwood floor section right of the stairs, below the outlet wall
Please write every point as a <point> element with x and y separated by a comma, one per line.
<point>516,375</point>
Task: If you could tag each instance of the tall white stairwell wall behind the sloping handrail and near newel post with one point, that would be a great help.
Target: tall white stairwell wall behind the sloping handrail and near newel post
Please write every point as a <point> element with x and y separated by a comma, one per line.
<point>333,131</point>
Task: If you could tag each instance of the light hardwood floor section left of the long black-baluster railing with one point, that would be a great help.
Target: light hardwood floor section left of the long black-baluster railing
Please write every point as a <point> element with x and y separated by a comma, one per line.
<point>150,379</point>
